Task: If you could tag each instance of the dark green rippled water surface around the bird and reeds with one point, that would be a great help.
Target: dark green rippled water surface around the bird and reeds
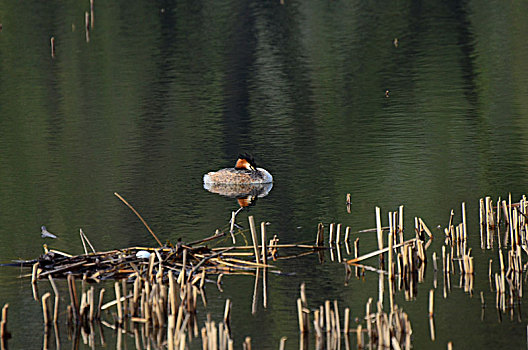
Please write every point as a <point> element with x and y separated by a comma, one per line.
<point>166,91</point>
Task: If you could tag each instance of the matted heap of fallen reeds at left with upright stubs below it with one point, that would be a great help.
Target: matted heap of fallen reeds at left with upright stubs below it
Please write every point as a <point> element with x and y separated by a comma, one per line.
<point>156,289</point>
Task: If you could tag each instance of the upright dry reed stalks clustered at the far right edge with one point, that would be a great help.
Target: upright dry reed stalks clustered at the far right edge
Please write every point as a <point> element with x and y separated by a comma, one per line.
<point>503,228</point>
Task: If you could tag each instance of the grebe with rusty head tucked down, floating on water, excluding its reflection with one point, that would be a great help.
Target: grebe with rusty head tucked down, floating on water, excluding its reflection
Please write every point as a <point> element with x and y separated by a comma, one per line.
<point>244,172</point>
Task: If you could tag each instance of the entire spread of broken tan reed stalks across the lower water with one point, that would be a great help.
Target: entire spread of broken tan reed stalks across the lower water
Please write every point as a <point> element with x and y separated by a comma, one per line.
<point>157,292</point>
